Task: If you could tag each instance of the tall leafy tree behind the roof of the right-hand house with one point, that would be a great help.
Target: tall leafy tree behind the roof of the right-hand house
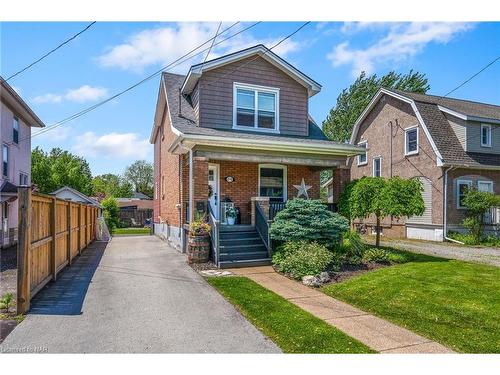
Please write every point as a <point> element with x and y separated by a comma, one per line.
<point>352,101</point>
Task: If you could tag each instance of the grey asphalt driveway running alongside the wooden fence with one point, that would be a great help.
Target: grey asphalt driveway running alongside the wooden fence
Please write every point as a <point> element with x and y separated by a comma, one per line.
<point>134,295</point>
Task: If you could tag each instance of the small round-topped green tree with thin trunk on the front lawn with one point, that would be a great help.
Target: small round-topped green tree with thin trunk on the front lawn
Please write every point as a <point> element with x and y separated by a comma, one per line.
<point>377,196</point>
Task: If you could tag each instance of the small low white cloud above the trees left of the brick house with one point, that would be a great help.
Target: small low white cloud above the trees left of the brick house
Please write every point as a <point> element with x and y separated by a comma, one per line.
<point>115,145</point>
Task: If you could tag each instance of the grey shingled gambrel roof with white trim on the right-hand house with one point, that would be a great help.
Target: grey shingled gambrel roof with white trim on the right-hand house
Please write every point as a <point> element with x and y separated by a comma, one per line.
<point>444,142</point>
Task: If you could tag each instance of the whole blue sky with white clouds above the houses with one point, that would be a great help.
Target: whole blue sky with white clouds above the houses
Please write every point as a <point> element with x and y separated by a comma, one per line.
<point>111,56</point>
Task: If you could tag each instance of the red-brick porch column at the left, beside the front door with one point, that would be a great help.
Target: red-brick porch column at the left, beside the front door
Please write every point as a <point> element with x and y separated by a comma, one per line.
<point>199,187</point>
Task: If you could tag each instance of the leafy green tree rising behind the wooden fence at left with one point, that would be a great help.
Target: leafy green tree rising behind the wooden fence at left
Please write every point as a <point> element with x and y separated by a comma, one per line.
<point>58,168</point>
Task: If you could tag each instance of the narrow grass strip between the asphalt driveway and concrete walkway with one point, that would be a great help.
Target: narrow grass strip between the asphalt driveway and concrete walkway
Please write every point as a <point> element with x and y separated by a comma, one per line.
<point>291,328</point>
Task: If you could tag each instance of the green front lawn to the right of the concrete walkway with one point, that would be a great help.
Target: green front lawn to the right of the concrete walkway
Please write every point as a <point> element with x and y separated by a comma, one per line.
<point>452,302</point>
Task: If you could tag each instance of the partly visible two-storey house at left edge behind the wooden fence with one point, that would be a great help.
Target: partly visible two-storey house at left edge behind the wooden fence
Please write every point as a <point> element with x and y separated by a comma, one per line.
<point>16,120</point>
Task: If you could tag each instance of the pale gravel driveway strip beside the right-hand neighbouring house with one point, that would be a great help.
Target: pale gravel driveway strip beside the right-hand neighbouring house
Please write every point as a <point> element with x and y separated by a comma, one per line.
<point>486,255</point>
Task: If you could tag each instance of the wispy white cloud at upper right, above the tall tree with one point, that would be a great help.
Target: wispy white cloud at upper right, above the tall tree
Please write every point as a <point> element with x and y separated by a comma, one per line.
<point>402,41</point>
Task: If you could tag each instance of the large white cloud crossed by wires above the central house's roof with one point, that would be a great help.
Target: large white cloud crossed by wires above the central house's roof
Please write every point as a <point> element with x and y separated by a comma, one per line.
<point>162,45</point>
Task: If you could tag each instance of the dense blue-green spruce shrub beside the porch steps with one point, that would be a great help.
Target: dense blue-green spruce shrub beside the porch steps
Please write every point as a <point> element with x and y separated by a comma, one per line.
<point>308,220</point>
